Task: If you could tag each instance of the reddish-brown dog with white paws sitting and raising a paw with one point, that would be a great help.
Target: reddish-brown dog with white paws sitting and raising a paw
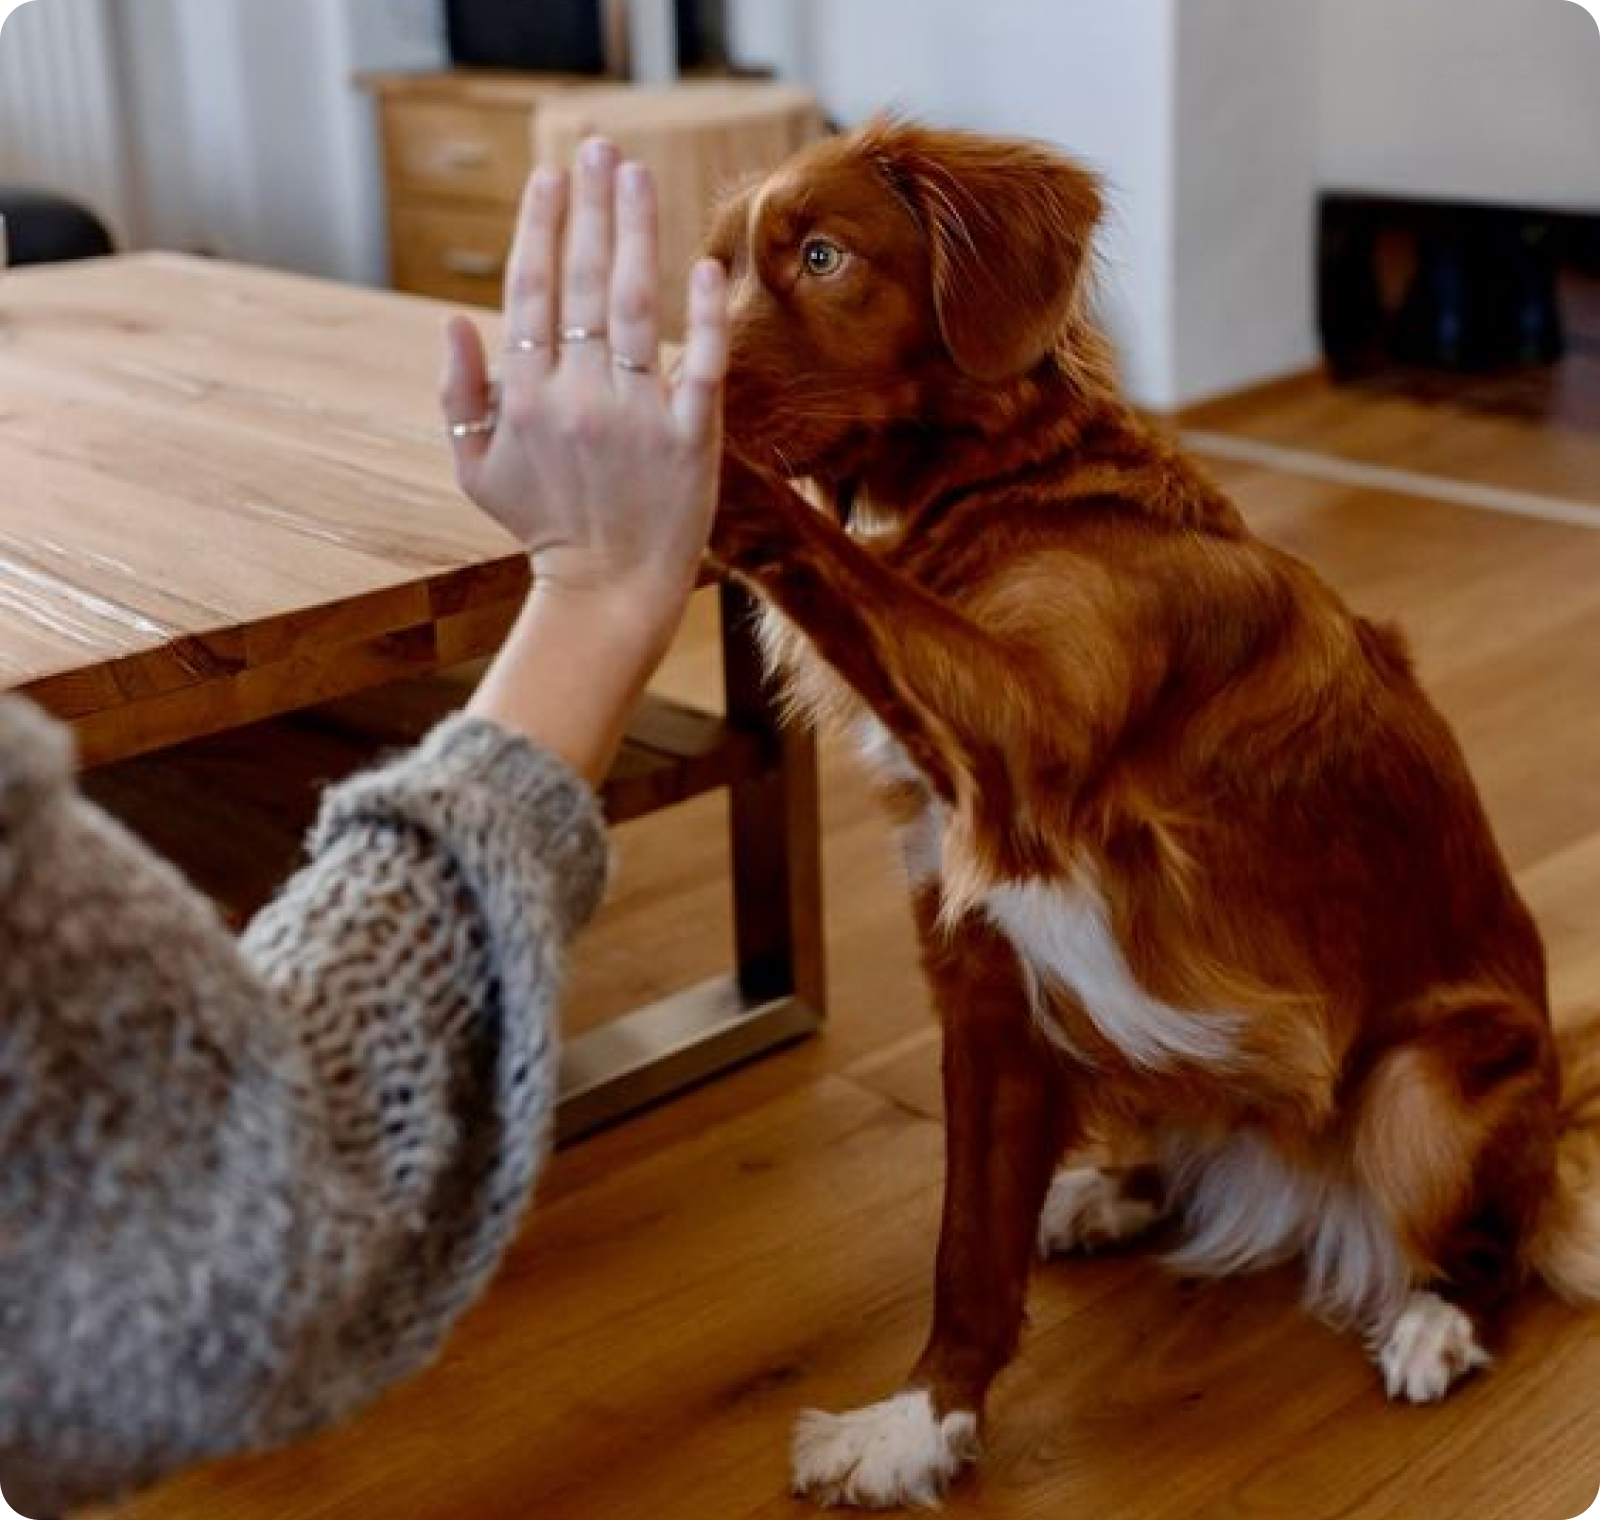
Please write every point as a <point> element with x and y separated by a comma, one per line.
<point>1198,870</point>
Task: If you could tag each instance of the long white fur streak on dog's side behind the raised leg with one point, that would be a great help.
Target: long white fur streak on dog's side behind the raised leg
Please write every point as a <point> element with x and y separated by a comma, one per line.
<point>1065,938</point>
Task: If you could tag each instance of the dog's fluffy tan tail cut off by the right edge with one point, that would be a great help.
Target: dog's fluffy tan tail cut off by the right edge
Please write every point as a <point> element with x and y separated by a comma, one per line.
<point>1567,1249</point>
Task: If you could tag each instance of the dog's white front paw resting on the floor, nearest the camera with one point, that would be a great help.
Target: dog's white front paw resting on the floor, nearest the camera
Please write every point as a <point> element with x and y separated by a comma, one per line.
<point>884,1457</point>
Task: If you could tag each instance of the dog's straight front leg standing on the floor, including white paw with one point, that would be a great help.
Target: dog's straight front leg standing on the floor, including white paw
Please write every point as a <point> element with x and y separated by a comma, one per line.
<point>1007,1121</point>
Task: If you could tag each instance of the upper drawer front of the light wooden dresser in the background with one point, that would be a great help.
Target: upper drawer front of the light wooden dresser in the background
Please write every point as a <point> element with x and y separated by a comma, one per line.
<point>438,148</point>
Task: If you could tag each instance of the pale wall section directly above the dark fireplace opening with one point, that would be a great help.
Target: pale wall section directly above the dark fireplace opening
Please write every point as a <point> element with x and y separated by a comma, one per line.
<point>1466,100</point>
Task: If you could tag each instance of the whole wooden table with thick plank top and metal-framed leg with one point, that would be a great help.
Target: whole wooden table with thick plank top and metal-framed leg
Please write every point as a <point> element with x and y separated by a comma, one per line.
<point>226,497</point>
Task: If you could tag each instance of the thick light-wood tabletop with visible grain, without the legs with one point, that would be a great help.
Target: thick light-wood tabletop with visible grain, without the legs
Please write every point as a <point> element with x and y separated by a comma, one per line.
<point>228,495</point>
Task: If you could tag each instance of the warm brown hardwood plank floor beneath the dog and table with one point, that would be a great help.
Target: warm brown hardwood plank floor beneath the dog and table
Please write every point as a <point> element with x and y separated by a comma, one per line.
<point>692,1279</point>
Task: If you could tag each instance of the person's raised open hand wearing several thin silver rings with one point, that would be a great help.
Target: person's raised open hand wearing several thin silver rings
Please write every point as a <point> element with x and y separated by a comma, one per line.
<point>604,468</point>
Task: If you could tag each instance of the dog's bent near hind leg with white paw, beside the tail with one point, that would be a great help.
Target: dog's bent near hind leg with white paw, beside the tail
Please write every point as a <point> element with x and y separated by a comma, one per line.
<point>1457,1146</point>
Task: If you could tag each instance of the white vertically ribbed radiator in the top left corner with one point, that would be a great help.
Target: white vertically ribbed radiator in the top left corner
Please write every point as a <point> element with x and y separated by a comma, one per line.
<point>62,124</point>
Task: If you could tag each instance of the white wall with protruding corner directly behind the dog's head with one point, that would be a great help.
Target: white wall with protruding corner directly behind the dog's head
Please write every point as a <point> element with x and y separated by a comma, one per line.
<point>1199,113</point>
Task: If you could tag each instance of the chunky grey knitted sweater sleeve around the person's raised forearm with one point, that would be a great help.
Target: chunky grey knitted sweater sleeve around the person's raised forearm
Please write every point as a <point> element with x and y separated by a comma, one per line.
<point>423,953</point>
